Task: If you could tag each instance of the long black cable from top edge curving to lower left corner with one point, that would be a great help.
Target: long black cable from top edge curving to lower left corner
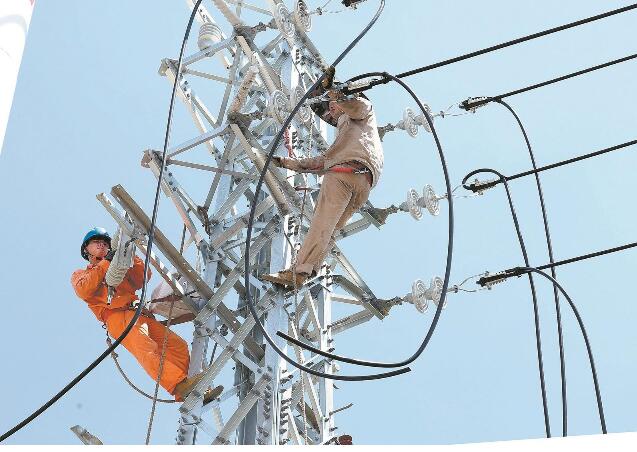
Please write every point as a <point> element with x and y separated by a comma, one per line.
<point>151,236</point>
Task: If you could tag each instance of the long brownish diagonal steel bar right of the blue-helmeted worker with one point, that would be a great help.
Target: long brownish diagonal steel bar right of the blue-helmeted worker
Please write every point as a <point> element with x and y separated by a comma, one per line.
<point>181,264</point>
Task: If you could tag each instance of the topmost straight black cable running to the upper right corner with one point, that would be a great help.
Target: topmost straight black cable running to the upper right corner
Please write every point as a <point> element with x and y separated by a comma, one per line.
<point>502,45</point>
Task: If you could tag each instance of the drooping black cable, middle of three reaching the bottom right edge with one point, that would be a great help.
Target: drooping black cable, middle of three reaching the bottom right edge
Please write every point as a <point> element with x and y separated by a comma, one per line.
<point>549,247</point>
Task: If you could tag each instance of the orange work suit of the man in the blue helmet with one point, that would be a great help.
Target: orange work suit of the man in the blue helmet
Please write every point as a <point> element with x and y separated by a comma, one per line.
<point>145,339</point>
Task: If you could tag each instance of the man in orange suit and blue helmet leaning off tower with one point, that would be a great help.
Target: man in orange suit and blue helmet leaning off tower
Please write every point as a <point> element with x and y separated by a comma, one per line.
<point>146,338</point>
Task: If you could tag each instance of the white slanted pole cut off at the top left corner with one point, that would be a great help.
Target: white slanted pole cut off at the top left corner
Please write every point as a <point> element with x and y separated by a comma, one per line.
<point>15,17</point>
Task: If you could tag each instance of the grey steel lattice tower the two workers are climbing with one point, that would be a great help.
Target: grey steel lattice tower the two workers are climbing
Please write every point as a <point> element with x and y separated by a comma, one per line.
<point>264,68</point>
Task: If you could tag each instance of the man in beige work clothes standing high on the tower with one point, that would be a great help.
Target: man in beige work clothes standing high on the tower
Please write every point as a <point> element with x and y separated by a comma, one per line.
<point>351,166</point>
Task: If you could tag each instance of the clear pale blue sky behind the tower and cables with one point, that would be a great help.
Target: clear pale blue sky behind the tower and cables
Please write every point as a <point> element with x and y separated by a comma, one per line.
<point>89,101</point>
